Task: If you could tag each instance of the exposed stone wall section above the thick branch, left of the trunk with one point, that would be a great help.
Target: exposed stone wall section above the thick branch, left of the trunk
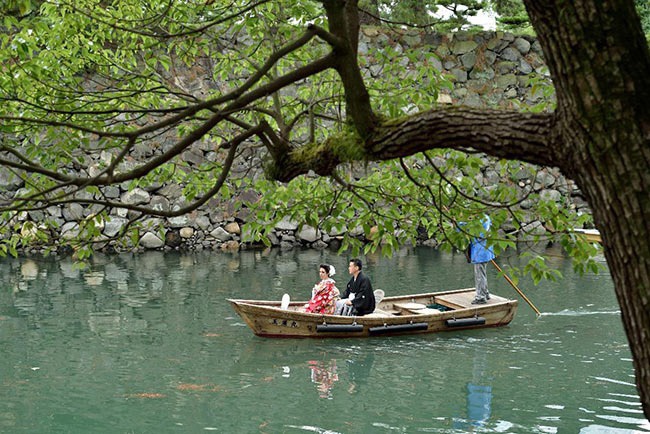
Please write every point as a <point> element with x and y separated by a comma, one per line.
<point>488,68</point>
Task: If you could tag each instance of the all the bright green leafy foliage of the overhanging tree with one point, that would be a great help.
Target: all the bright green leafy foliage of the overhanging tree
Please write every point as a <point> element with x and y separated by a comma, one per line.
<point>92,90</point>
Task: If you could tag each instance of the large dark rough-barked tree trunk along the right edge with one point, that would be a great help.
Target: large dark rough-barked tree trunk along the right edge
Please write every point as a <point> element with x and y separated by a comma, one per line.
<point>600,64</point>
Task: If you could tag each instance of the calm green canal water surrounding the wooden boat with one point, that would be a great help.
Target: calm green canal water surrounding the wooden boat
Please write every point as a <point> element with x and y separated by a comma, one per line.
<point>147,344</point>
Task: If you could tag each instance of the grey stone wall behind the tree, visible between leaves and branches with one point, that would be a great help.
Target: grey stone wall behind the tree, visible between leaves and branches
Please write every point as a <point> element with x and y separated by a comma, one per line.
<point>488,68</point>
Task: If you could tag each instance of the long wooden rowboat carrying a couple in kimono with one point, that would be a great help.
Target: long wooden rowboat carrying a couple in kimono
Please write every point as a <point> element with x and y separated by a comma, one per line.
<point>404,314</point>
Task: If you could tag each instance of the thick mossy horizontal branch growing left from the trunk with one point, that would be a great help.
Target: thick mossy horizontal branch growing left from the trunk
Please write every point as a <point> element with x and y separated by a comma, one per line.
<point>511,135</point>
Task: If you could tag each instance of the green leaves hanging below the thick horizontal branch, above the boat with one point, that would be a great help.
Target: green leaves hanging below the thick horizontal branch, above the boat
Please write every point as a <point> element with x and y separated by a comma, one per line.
<point>398,203</point>
